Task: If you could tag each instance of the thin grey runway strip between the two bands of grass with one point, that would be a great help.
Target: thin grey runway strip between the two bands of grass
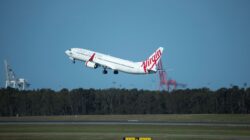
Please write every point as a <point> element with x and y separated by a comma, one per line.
<point>129,122</point>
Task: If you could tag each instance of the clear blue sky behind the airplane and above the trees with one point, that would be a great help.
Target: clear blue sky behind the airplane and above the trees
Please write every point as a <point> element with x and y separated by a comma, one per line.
<point>207,42</point>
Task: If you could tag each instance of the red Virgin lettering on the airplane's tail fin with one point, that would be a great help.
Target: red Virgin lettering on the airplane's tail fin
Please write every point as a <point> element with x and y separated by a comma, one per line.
<point>151,62</point>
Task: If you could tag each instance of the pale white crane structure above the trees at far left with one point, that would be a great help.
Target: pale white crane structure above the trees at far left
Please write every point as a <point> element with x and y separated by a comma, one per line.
<point>12,80</point>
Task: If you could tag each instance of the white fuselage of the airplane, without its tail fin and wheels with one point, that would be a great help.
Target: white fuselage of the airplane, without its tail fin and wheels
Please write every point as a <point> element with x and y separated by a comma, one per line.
<point>107,61</point>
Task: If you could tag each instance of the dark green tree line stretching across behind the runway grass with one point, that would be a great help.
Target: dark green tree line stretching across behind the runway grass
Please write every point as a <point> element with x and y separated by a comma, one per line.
<point>123,101</point>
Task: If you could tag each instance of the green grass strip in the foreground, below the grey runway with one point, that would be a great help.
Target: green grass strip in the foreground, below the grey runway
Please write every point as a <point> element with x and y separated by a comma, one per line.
<point>116,132</point>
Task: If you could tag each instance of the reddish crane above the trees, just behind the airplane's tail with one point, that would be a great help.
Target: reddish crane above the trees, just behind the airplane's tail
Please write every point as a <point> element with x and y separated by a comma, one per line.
<point>164,83</point>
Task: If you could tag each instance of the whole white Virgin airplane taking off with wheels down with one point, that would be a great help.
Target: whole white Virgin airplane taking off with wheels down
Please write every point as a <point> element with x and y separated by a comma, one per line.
<point>94,60</point>
